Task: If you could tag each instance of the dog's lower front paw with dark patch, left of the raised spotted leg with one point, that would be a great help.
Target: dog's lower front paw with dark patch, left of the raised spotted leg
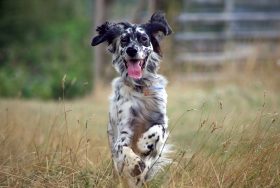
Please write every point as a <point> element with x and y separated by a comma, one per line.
<point>134,165</point>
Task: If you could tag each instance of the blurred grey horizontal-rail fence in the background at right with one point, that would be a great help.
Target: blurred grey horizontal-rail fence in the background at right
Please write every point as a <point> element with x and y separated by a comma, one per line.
<point>214,32</point>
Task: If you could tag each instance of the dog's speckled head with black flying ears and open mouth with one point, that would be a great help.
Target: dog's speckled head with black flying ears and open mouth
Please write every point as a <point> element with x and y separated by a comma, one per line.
<point>135,47</point>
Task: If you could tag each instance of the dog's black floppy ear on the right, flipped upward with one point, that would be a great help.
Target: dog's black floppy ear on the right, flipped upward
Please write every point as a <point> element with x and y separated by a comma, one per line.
<point>157,28</point>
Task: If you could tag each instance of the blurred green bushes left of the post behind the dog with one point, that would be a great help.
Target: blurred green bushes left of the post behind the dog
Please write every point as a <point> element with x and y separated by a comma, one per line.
<point>40,42</point>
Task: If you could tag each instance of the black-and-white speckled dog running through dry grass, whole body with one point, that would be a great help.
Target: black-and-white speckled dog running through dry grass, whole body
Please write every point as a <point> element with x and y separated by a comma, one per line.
<point>138,123</point>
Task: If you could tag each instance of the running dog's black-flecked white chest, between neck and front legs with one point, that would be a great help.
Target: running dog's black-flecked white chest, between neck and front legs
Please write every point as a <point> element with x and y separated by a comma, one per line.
<point>136,111</point>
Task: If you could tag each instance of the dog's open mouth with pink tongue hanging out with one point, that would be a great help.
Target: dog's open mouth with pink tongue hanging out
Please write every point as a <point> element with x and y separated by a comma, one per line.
<point>135,67</point>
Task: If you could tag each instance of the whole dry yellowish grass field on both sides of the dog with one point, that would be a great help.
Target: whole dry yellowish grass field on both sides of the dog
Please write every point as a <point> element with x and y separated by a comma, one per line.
<point>224,135</point>
